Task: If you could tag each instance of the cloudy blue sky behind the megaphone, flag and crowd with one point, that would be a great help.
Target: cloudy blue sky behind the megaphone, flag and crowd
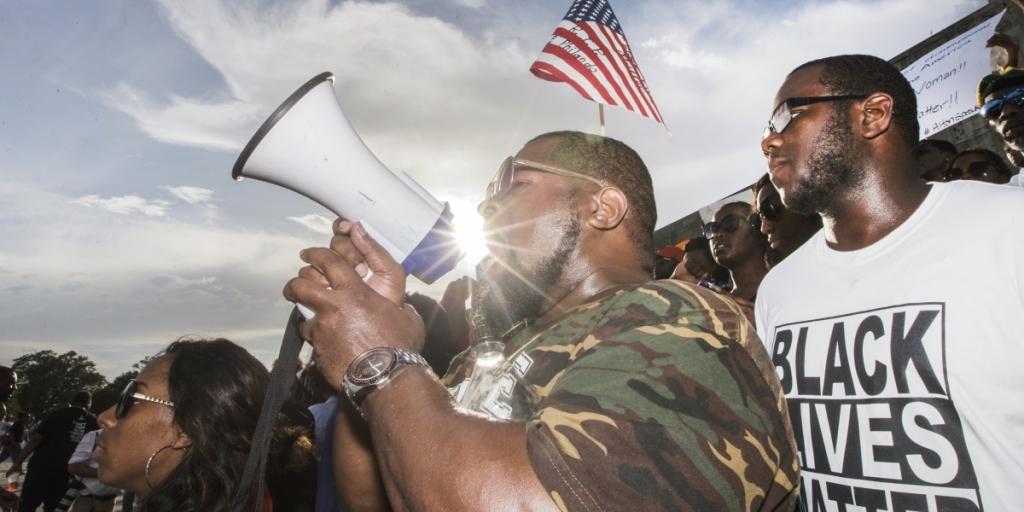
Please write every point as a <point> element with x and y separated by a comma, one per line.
<point>121,229</point>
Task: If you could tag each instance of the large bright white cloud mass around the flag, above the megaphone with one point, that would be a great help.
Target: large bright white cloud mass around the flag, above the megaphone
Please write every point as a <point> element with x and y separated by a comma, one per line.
<point>441,104</point>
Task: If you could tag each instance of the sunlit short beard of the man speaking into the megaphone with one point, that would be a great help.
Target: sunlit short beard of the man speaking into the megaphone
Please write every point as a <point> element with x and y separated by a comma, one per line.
<point>517,295</point>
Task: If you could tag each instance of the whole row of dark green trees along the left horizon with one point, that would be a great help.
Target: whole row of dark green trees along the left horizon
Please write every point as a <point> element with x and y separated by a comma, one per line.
<point>48,380</point>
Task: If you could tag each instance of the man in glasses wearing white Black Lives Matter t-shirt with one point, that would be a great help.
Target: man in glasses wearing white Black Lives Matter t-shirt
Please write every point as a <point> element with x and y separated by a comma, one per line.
<point>905,380</point>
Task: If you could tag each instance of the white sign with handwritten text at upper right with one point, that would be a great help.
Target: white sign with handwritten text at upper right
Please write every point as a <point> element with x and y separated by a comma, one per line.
<point>947,80</point>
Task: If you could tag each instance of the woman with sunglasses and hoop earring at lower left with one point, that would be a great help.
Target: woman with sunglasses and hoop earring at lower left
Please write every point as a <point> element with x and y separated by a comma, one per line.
<point>181,434</point>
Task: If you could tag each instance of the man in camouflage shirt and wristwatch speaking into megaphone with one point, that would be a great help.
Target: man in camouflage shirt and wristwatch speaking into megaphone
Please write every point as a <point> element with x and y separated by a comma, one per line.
<point>643,392</point>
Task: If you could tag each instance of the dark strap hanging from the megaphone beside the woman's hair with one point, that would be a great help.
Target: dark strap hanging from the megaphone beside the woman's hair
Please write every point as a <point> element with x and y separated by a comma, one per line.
<point>282,378</point>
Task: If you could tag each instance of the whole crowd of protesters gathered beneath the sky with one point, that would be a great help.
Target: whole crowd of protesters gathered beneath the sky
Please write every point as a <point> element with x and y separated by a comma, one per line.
<point>816,349</point>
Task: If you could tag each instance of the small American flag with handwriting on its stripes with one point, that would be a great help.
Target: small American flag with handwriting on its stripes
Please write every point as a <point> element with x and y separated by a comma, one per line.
<point>589,52</point>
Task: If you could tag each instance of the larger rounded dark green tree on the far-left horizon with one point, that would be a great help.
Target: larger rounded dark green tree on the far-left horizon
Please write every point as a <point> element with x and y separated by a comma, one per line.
<point>47,380</point>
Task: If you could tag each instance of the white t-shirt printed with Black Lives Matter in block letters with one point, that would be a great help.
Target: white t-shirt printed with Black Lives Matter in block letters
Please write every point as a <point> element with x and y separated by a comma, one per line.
<point>904,362</point>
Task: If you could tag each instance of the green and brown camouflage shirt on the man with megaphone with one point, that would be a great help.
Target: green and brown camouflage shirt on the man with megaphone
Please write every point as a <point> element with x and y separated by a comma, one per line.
<point>658,397</point>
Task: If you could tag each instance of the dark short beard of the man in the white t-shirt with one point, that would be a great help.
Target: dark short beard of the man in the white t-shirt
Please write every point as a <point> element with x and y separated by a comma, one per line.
<point>835,167</point>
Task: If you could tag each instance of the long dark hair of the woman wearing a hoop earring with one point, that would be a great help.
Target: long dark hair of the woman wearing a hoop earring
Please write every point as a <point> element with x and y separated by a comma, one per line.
<point>218,389</point>
